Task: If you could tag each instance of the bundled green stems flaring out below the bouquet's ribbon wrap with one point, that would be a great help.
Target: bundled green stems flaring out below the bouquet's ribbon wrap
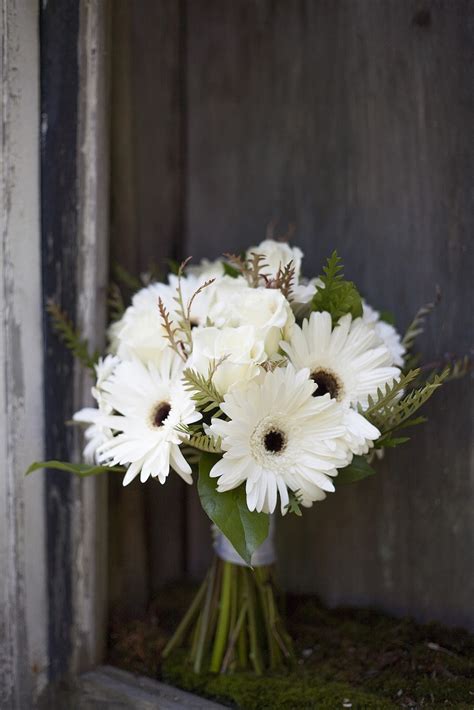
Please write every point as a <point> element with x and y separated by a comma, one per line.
<point>234,623</point>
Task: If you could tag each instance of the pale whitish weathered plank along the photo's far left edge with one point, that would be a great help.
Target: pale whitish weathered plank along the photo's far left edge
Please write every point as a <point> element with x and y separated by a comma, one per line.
<point>23,601</point>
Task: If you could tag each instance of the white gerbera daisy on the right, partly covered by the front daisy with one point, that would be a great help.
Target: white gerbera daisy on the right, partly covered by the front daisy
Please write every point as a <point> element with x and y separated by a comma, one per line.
<point>348,362</point>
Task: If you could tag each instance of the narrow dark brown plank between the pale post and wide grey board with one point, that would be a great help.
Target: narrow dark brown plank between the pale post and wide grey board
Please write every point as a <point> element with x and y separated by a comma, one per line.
<point>146,227</point>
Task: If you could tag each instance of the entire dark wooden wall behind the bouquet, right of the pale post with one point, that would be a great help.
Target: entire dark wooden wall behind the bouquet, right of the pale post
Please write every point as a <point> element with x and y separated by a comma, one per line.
<point>353,120</point>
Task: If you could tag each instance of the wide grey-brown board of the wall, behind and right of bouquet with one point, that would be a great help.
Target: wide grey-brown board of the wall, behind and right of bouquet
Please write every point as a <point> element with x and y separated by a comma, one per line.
<point>353,119</point>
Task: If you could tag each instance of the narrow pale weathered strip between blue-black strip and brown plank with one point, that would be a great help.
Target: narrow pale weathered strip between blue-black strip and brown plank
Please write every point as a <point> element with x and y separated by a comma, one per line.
<point>90,496</point>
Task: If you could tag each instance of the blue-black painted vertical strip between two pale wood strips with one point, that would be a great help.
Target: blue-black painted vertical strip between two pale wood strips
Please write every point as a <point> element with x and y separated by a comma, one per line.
<point>59,95</point>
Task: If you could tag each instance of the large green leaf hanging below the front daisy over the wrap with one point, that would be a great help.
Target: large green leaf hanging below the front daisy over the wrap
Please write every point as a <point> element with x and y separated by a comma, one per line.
<point>244,529</point>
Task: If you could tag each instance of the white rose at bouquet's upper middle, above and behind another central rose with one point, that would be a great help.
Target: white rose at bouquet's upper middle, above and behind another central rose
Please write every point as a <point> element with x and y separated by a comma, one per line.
<point>265,309</point>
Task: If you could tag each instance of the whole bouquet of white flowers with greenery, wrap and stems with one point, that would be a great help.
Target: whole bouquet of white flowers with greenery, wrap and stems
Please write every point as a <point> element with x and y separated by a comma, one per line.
<point>276,388</point>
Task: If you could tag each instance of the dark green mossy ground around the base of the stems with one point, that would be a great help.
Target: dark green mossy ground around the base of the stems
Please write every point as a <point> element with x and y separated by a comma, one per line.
<point>347,658</point>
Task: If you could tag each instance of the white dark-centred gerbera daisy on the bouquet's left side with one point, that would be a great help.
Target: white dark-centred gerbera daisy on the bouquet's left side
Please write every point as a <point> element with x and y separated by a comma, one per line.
<point>149,402</point>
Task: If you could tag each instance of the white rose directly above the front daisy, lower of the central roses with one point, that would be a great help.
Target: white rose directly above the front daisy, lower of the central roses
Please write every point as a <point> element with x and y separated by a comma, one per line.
<point>241,347</point>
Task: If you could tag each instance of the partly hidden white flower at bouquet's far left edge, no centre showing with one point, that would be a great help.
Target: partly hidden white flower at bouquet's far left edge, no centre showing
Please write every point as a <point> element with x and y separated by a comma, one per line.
<point>97,433</point>
